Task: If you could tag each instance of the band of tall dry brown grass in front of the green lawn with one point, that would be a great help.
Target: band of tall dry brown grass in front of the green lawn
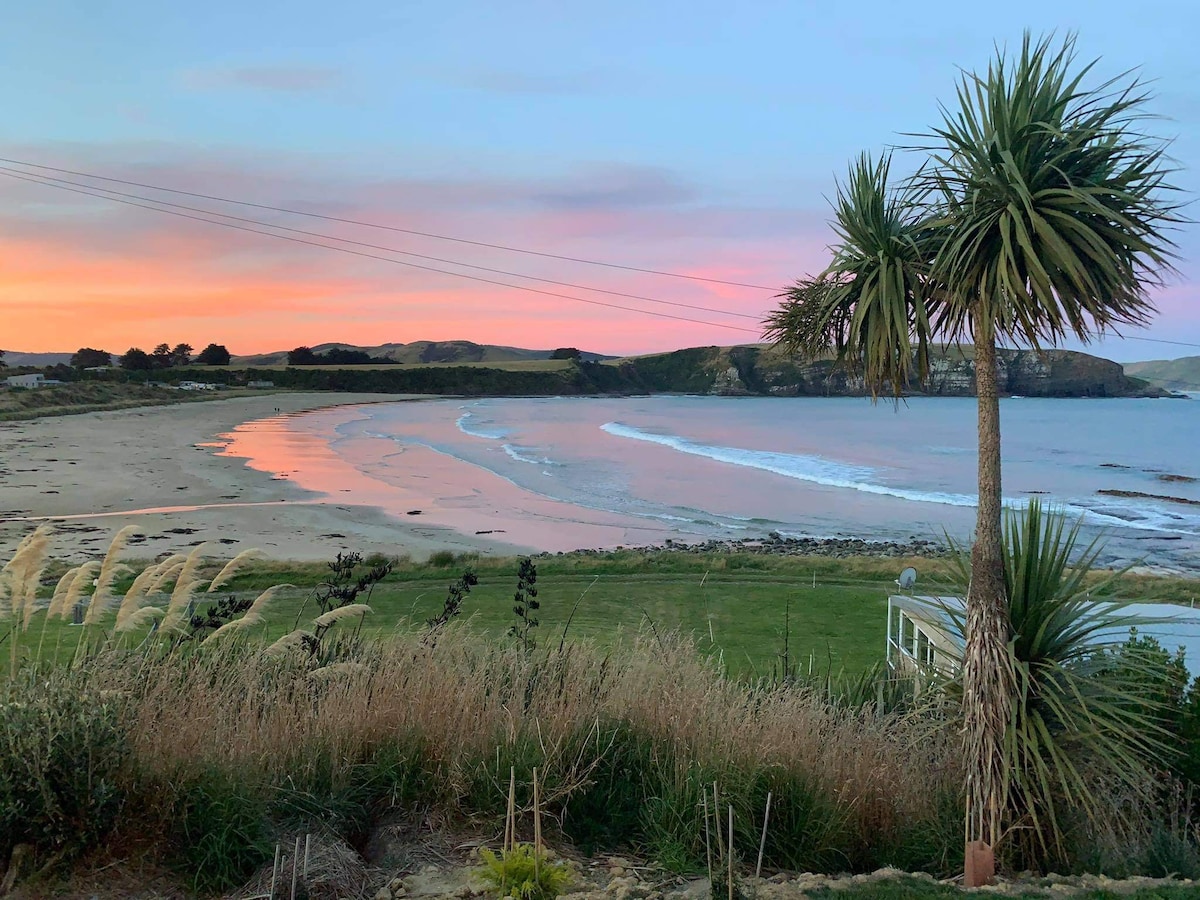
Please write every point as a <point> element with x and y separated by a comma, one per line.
<point>461,715</point>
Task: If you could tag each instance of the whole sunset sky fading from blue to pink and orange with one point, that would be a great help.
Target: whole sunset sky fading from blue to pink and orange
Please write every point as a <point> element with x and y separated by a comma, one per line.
<point>698,139</point>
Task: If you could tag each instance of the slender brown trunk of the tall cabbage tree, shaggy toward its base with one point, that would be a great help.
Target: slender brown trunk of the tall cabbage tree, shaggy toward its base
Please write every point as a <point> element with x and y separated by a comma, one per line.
<point>987,670</point>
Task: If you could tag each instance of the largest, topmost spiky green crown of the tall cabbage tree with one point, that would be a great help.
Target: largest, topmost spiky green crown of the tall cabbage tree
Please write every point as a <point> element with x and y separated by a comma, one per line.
<point>1052,203</point>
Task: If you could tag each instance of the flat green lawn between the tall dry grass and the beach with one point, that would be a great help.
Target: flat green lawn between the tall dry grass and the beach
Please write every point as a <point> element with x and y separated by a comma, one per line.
<point>734,605</point>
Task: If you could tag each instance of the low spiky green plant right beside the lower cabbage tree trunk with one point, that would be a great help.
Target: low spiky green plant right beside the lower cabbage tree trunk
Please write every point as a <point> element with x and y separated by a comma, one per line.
<point>1079,725</point>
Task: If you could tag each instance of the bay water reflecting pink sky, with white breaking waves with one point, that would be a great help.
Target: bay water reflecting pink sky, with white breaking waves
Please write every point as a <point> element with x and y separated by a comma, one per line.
<point>568,472</point>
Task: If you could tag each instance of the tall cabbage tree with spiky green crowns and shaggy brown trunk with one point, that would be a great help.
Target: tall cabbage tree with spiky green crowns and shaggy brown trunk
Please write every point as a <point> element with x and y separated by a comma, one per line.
<point>1041,215</point>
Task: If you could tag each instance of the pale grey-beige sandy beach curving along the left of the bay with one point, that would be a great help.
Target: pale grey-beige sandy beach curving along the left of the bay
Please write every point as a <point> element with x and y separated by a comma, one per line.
<point>158,469</point>
